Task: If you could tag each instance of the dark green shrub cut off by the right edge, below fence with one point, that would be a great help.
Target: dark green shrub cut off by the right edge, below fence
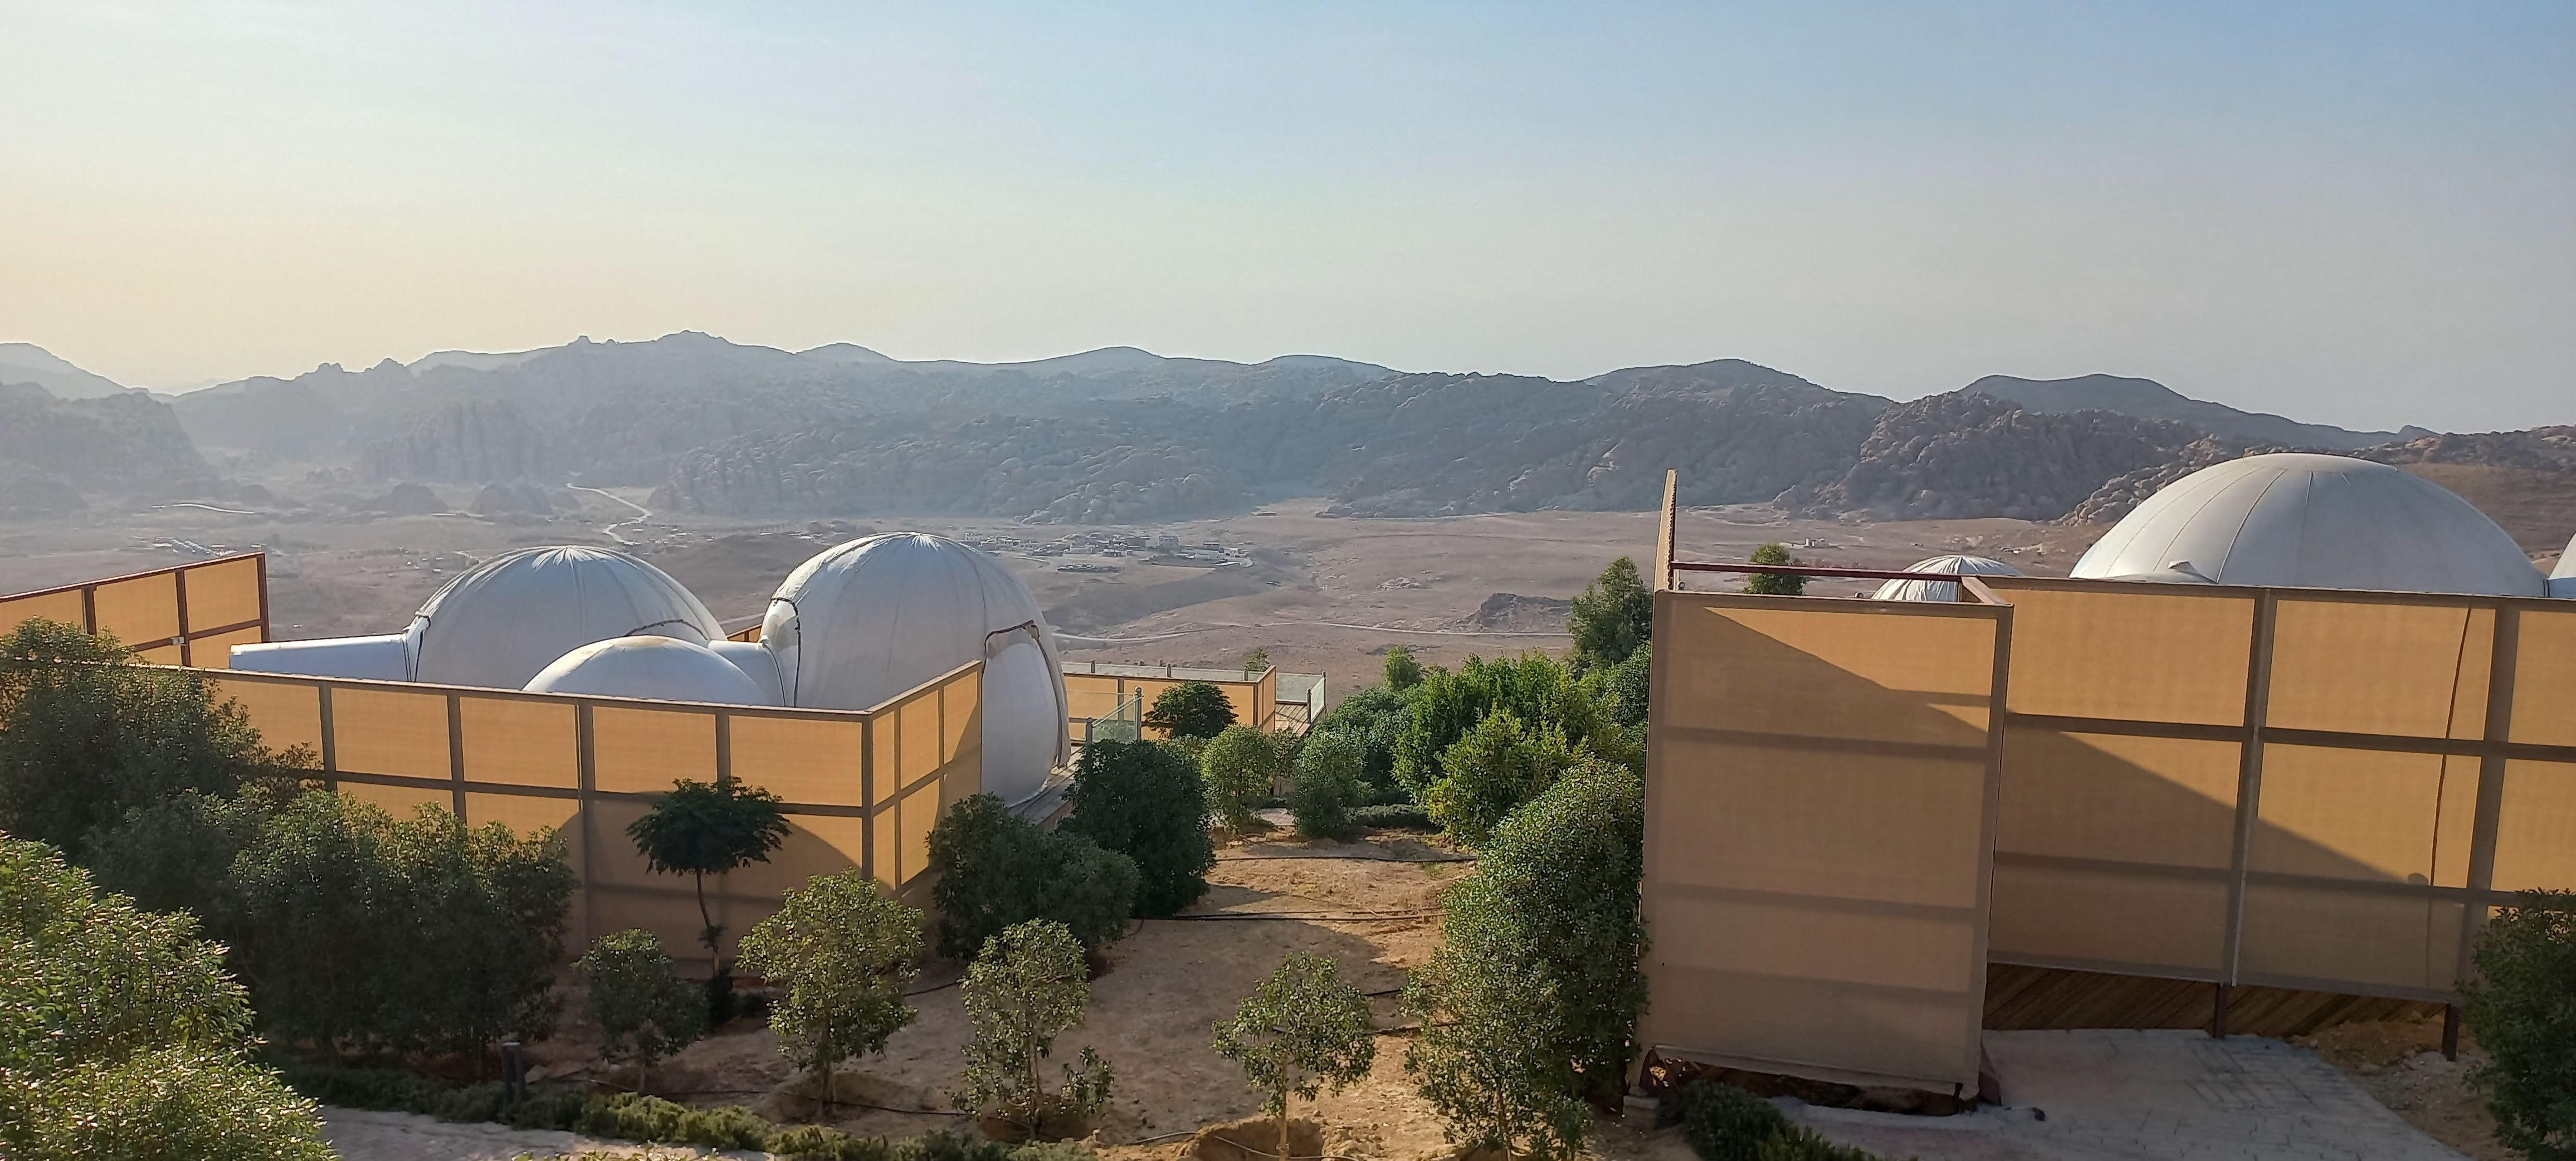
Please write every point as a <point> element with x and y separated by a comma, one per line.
<point>2523,1010</point>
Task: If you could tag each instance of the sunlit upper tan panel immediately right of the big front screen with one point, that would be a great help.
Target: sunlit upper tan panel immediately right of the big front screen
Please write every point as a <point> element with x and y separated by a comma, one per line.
<point>2129,653</point>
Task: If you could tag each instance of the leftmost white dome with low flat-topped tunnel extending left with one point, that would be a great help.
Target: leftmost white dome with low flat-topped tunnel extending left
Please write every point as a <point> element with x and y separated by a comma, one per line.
<point>506,622</point>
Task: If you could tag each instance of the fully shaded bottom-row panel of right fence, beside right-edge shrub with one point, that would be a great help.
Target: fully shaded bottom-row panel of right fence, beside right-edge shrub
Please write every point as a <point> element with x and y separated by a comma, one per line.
<point>2353,941</point>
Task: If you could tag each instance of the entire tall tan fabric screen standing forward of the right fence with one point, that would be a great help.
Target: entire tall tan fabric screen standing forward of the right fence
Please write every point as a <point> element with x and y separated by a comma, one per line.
<point>1820,828</point>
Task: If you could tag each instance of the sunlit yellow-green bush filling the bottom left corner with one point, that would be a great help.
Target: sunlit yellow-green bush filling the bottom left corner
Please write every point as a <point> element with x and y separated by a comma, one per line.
<point>122,1039</point>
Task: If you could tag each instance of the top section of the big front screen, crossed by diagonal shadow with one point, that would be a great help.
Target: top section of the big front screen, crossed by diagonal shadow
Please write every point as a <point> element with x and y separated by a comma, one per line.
<point>1874,676</point>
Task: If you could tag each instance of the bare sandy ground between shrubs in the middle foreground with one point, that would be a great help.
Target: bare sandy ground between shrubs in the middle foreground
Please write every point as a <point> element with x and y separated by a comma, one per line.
<point>1153,1013</point>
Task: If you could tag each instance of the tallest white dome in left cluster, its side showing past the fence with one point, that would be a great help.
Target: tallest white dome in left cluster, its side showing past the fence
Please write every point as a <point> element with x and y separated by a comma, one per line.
<point>877,617</point>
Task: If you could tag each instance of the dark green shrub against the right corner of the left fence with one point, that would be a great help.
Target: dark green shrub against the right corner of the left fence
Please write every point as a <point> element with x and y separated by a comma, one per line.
<point>998,869</point>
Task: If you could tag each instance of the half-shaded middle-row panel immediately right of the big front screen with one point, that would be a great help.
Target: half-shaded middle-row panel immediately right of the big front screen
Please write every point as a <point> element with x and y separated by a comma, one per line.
<point>2106,797</point>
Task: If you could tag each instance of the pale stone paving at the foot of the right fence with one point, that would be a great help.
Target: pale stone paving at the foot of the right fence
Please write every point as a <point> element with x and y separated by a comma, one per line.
<point>2150,1098</point>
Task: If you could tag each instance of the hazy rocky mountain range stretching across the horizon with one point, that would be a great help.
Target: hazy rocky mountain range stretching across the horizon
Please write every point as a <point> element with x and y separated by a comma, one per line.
<point>1124,436</point>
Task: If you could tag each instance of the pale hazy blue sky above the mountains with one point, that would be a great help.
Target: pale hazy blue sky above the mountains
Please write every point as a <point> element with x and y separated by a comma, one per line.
<point>2351,212</point>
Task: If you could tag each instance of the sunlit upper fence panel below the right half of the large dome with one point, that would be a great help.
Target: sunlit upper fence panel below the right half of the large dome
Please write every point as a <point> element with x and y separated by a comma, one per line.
<point>2382,668</point>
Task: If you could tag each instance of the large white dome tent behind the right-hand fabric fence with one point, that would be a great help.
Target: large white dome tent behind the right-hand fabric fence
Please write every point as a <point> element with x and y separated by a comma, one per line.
<point>2312,521</point>
